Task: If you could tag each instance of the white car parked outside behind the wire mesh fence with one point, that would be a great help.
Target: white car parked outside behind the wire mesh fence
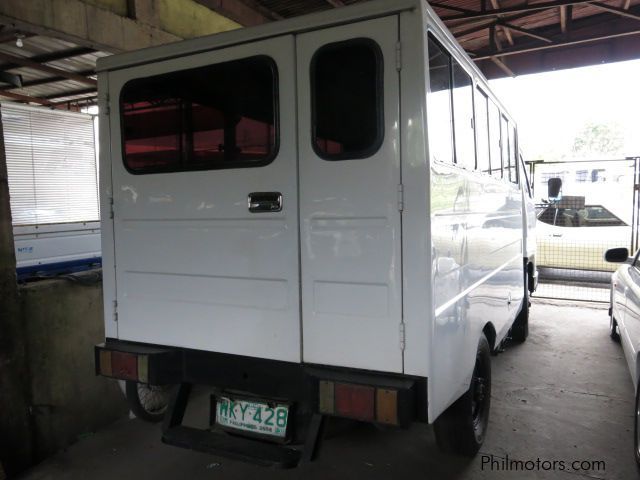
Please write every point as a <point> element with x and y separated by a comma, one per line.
<point>576,238</point>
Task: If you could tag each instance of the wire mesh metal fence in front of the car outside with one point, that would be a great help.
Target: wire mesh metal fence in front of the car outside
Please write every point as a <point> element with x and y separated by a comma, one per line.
<point>597,209</point>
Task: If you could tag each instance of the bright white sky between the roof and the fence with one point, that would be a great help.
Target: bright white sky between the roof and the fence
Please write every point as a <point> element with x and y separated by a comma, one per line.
<point>552,108</point>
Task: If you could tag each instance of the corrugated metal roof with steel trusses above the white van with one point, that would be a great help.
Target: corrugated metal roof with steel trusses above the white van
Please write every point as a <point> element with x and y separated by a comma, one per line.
<point>521,40</point>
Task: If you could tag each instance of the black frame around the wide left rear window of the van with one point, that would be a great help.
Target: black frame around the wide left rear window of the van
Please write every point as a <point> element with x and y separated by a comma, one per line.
<point>273,67</point>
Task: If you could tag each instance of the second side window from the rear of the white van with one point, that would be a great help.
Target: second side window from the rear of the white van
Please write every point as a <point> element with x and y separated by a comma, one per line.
<point>463,117</point>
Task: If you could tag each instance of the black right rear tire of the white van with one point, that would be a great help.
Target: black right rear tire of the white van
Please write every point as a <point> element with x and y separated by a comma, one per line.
<point>461,428</point>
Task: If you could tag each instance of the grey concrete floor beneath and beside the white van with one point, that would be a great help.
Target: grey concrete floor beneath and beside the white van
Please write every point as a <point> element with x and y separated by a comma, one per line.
<point>564,395</point>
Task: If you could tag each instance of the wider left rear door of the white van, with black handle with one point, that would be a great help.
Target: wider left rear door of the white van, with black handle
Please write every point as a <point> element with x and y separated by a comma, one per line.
<point>205,201</point>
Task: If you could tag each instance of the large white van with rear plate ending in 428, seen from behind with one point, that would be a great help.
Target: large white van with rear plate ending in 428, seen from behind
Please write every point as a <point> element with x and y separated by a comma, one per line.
<point>323,216</point>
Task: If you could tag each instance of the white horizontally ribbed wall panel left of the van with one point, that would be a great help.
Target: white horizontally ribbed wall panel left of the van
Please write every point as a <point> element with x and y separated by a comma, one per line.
<point>51,162</point>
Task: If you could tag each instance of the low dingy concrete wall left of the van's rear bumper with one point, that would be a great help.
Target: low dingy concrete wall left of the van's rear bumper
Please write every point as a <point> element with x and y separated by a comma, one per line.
<point>63,320</point>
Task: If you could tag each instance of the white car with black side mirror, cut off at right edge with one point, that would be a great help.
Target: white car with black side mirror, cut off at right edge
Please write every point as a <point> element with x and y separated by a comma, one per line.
<point>624,319</point>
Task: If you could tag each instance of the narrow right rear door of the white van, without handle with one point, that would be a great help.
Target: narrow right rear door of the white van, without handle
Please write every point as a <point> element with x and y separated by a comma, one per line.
<point>349,195</point>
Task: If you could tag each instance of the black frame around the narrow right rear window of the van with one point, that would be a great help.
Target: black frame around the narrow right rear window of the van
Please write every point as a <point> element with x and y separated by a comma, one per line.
<point>380,99</point>
